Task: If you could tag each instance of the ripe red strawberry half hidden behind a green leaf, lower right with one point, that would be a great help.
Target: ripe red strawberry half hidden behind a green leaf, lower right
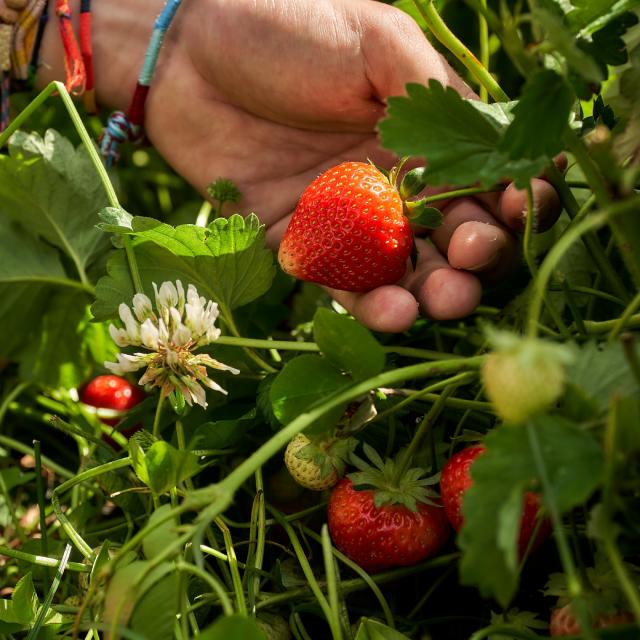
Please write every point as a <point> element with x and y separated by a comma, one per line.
<point>456,479</point>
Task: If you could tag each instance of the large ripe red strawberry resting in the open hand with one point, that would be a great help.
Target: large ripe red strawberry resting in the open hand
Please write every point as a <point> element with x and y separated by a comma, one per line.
<point>348,231</point>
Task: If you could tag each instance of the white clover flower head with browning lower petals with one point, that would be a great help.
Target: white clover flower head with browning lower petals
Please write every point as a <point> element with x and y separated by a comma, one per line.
<point>171,333</point>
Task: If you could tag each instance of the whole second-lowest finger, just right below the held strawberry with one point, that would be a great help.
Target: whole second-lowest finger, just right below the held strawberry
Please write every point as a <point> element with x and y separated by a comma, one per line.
<point>443,293</point>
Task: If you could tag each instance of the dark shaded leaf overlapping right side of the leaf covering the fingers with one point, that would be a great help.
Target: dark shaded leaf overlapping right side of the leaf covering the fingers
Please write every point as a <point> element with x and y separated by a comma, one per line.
<point>541,118</point>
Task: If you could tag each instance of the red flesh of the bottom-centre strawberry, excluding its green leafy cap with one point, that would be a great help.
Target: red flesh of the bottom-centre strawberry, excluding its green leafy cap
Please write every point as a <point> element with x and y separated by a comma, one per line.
<point>379,538</point>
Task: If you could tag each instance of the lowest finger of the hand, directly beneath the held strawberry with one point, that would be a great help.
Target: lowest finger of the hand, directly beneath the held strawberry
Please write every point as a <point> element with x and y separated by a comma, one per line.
<point>389,308</point>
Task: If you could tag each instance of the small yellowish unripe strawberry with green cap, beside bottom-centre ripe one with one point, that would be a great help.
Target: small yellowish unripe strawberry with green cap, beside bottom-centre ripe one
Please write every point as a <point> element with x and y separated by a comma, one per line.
<point>317,464</point>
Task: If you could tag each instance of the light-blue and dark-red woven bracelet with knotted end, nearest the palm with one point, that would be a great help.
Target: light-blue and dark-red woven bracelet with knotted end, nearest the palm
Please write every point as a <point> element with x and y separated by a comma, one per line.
<point>127,127</point>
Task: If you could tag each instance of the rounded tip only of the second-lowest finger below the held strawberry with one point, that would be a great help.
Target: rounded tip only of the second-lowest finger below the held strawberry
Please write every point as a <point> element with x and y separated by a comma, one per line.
<point>448,294</point>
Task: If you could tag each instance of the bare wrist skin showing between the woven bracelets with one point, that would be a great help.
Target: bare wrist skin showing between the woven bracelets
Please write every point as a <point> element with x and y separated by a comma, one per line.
<point>120,33</point>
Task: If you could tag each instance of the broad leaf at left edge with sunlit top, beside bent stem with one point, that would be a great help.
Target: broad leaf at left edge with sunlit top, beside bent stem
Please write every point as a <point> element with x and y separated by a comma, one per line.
<point>53,189</point>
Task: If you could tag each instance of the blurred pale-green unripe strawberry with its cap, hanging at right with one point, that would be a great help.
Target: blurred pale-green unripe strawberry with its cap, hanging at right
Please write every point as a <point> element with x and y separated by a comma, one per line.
<point>524,376</point>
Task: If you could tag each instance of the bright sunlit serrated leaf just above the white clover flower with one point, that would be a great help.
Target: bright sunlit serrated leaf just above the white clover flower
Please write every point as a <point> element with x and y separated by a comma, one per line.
<point>227,261</point>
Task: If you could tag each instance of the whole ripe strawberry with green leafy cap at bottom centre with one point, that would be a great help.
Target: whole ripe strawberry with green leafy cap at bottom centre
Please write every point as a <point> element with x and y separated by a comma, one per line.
<point>380,521</point>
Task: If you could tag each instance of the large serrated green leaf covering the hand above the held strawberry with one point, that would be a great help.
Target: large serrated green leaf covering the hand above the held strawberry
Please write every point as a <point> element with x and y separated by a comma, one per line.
<point>461,143</point>
